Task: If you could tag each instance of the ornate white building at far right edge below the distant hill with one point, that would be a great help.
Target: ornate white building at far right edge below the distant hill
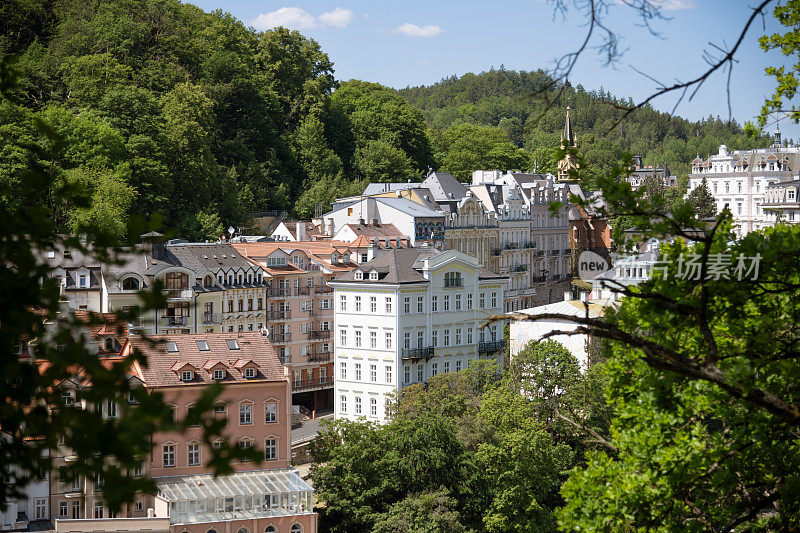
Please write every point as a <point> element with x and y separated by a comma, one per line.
<point>739,179</point>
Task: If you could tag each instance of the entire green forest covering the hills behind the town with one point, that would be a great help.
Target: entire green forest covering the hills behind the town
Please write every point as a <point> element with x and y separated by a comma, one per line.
<point>165,109</point>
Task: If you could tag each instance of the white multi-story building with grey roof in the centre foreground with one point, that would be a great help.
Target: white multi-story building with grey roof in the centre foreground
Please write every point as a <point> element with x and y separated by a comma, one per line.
<point>406,316</point>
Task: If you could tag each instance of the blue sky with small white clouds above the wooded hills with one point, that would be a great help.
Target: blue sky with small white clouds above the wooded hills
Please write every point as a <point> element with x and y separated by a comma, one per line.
<point>419,42</point>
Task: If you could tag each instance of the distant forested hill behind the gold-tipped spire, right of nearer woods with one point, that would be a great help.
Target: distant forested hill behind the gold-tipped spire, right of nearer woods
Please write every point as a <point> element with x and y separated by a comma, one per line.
<point>514,105</point>
